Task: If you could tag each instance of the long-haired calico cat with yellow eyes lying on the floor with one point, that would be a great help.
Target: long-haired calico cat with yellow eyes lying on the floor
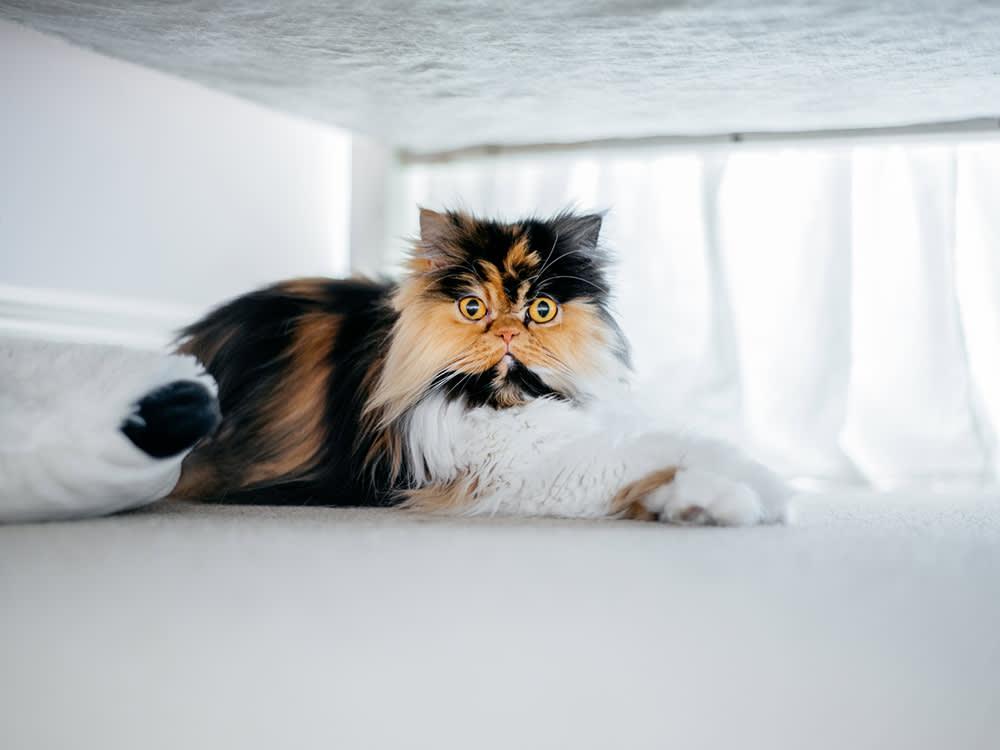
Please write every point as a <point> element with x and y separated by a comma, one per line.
<point>479,383</point>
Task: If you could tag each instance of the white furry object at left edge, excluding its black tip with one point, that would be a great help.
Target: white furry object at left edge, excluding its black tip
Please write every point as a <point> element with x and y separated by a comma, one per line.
<point>62,452</point>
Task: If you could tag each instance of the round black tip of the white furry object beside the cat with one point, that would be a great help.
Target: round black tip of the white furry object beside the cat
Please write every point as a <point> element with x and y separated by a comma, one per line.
<point>172,418</point>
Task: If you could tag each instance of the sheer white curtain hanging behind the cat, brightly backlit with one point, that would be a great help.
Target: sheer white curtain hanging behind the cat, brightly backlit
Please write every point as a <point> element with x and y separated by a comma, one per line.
<point>837,308</point>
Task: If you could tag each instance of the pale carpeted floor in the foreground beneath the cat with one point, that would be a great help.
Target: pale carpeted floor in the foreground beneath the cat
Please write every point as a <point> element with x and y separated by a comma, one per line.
<point>872,623</point>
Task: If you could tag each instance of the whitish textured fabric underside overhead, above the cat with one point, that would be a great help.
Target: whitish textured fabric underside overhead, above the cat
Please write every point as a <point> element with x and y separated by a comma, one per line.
<point>434,75</point>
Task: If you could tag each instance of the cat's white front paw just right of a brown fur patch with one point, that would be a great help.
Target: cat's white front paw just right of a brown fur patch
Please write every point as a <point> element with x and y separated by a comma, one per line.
<point>700,498</point>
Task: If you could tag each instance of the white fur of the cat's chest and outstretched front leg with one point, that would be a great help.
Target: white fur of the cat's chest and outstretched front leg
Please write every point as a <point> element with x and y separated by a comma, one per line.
<point>555,458</point>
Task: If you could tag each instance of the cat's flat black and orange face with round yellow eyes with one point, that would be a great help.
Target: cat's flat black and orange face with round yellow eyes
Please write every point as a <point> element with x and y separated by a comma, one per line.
<point>504,312</point>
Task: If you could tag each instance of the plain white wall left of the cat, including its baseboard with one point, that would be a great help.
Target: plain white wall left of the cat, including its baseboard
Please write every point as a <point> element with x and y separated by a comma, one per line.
<point>131,200</point>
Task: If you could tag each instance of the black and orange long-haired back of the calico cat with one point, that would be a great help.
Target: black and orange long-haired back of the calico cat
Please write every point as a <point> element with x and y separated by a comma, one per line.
<point>291,361</point>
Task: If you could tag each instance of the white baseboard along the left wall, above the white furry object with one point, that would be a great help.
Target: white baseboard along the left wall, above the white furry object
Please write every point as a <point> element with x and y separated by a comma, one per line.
<point>65,315</point>
